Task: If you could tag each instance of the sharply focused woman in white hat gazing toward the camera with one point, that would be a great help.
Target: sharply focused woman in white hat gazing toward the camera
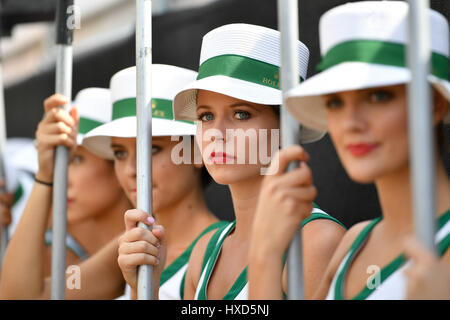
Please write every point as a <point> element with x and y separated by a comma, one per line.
<point>235,101</point>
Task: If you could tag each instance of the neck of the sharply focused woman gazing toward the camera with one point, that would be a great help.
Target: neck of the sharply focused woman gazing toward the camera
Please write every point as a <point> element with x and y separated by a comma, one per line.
<point>245,199</point>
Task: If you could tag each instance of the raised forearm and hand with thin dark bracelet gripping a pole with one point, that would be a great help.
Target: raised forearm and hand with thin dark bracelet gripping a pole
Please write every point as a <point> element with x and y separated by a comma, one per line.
<point>23,275</point>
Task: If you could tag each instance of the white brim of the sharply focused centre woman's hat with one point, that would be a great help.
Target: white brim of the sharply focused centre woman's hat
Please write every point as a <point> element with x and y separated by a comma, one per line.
<point>185,102</point>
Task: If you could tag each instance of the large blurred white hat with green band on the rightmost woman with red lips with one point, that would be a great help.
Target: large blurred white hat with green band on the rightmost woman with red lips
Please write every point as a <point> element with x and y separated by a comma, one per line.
<point>363,45</point>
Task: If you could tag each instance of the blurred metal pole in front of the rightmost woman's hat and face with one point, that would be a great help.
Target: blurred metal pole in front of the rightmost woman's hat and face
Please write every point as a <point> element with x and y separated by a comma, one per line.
<point>421,140</point>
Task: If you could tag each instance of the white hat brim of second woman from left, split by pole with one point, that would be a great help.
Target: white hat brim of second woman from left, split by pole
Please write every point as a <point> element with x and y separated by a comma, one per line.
<point>98,140</point>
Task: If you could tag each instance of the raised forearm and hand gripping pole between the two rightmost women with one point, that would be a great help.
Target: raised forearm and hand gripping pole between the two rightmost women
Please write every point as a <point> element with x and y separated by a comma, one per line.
<point>285,200</point>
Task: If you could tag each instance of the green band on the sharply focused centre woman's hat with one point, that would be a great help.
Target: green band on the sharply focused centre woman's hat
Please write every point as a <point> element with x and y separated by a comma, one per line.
<point>242,68</point>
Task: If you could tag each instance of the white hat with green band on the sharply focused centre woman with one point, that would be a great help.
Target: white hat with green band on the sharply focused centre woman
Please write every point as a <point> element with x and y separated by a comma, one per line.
<point>241,61</point>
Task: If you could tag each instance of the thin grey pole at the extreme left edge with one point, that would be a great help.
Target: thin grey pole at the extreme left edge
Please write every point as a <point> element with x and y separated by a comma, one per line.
<point>4,229</point>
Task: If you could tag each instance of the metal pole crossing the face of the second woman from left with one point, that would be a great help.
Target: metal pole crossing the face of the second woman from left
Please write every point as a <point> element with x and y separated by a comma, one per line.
<point>144,129</point>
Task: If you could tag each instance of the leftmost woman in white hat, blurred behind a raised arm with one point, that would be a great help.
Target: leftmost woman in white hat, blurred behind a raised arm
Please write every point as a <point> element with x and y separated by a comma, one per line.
<point>90,224</point>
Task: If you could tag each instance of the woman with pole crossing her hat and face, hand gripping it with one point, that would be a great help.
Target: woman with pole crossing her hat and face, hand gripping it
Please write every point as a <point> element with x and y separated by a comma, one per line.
<point>178,199</point>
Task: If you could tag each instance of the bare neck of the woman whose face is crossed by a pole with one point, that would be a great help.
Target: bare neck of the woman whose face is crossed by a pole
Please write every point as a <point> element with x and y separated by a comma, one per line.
<point>185,219</point>
